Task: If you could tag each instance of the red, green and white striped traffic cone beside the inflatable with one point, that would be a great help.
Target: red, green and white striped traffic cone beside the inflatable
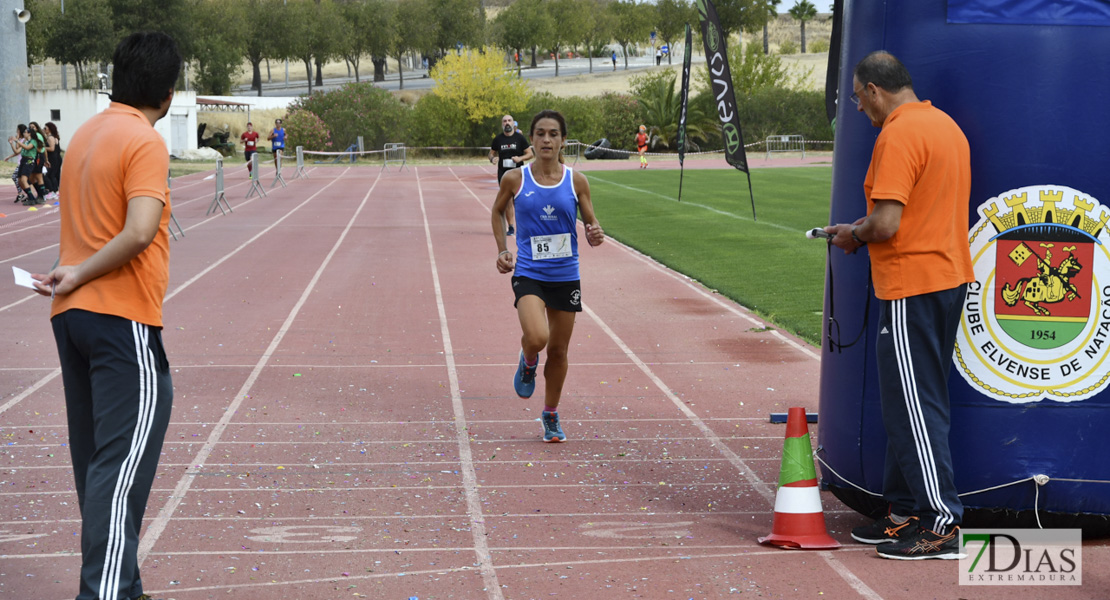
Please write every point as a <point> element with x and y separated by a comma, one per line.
<point>800,522</point>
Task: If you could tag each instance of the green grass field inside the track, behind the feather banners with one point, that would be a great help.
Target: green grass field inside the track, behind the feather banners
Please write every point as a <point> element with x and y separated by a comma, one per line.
<point>766,266</point>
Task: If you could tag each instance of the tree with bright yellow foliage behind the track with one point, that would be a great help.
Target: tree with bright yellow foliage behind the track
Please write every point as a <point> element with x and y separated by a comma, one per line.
<point>478,84</point>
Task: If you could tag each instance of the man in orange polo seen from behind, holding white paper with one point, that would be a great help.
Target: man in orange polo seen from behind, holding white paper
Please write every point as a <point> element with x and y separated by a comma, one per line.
<point>107,312</point>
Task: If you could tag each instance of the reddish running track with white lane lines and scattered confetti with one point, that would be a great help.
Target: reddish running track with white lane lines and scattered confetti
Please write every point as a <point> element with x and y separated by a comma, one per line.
<point>345,424</point>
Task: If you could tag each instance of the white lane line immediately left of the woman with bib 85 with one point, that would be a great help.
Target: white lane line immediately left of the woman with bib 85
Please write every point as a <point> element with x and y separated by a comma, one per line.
<point>466,459</point>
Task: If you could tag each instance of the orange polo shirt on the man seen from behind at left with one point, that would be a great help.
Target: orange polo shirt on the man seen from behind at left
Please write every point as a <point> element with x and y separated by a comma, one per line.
<point>115,157</point>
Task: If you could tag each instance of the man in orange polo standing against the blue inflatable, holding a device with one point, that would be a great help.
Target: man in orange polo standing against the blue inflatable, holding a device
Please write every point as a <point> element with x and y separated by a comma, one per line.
<point>919,187</point>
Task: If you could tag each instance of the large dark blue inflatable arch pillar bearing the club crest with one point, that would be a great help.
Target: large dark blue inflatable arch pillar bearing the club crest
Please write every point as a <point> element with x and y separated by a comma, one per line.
<point>1031,384</point>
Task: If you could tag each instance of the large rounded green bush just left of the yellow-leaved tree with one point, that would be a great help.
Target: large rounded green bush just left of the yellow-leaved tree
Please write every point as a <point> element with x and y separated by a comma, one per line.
<point>359,109</point>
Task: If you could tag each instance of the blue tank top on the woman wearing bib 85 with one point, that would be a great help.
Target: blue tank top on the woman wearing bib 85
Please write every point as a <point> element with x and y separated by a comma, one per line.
<point>543,210</point>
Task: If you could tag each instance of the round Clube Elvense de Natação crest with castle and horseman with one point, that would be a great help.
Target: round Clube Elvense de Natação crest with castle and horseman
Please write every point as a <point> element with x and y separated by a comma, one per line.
<point>1036,322</point>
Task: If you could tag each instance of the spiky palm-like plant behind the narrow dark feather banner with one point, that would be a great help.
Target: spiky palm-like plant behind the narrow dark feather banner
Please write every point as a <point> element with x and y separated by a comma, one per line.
<point>661,108</point>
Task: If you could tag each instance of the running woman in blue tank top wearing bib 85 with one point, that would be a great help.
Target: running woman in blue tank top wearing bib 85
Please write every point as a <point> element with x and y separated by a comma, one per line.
<point>549,197</point>
